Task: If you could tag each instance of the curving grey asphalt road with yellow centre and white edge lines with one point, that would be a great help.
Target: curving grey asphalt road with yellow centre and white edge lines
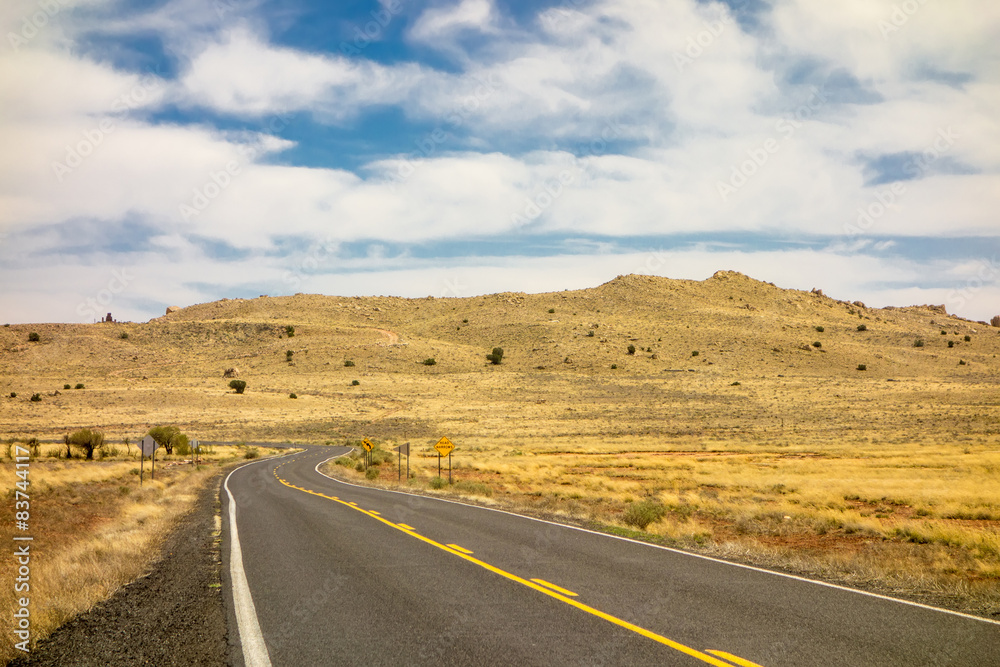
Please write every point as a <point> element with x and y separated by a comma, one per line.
<point>337,574</point>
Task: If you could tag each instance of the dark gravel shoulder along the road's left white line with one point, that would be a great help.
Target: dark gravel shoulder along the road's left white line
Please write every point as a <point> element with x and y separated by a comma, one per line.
<point>174,615</point>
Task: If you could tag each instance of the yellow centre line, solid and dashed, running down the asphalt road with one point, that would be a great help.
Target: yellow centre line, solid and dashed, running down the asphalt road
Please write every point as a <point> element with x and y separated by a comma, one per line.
<point>711,657</point>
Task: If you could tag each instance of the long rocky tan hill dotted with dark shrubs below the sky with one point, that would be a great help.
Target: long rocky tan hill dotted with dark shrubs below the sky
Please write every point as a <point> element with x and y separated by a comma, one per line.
<point>715,353</point>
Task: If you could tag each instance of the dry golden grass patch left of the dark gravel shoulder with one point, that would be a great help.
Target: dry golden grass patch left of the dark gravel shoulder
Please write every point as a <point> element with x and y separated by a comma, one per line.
<point>94,531</point>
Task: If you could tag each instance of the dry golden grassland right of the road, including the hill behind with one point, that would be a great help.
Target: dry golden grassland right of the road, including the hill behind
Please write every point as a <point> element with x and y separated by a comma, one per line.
<point>769,425</point>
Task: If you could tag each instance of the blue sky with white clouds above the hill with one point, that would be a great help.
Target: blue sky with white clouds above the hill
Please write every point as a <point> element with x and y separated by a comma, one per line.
<point>173,152</point>
